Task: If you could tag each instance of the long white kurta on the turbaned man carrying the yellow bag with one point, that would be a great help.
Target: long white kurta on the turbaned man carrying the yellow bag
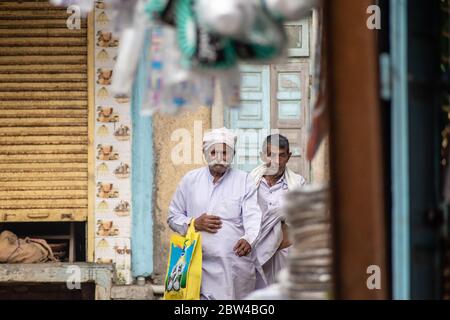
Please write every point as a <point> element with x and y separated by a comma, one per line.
<point>234,199</point>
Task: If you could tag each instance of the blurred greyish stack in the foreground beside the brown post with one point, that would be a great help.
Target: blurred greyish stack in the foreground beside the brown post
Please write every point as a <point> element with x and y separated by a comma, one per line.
<point>309,272</point>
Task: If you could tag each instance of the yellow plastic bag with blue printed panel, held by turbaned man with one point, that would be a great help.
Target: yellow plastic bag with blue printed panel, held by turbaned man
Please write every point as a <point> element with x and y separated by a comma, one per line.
<point>184,269</point>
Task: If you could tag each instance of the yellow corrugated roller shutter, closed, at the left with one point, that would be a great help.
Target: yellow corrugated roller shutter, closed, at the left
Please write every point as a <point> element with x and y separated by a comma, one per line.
<point>43,114</point>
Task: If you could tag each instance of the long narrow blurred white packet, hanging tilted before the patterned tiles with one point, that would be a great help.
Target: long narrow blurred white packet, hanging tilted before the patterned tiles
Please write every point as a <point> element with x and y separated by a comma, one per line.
<point>129,51</point>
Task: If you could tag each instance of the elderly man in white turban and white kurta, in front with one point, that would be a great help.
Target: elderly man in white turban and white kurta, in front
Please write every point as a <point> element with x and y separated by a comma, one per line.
<point>222,204</point>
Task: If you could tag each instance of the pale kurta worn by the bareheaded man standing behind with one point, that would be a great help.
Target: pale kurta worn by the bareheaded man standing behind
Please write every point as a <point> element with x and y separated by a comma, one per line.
<point>270,200</point>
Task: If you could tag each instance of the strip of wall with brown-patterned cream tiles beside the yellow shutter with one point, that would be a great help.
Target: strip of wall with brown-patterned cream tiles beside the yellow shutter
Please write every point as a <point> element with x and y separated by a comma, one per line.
<point>113,156</point>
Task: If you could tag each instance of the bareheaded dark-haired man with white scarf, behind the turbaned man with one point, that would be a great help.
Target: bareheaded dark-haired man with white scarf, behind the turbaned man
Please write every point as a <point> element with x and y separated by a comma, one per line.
<point>273,180</point>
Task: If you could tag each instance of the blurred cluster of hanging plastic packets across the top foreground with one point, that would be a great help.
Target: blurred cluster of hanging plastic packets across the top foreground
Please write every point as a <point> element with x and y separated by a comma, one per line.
<point>204,43</point>
